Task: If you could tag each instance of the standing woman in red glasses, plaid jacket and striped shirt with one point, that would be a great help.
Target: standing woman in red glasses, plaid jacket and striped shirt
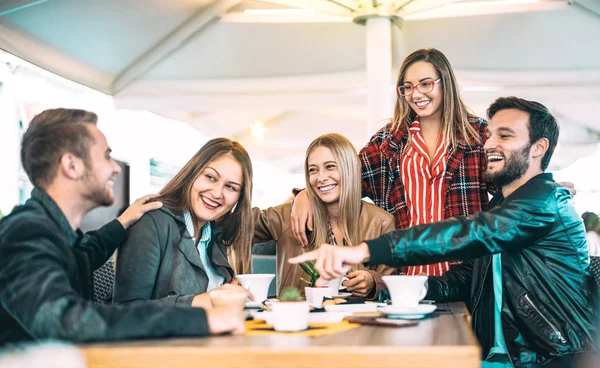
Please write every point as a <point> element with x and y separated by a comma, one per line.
<point>427,163</point>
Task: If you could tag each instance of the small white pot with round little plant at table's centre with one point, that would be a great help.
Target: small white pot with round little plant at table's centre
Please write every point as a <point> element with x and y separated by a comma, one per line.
<point>290,313</point>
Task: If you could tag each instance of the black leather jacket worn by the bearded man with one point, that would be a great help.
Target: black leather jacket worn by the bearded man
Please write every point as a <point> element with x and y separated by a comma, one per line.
<point>546,306</point>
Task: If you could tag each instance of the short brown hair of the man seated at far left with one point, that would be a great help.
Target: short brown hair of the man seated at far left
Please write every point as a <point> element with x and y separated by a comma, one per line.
<point>51,134</point>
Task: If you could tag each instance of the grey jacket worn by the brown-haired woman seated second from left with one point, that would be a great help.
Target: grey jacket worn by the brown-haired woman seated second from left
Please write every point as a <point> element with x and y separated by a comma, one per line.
<point>159,261</point>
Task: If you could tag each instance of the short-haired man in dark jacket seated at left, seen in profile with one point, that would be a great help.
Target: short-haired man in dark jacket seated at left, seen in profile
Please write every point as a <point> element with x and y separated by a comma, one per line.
<point>46,262</point>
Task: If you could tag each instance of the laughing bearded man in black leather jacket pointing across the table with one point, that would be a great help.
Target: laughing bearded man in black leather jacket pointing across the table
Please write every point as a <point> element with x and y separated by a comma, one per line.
<point>525,276</point>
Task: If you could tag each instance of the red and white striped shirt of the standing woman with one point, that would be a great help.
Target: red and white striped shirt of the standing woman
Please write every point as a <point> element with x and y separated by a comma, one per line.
<point>423,182</point>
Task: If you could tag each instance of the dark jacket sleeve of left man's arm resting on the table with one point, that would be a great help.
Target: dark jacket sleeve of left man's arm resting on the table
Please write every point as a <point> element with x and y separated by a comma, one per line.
<point>40,296</point>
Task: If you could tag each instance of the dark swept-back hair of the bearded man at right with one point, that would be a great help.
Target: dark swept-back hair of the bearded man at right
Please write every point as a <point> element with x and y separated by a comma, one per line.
<point>541,122</point>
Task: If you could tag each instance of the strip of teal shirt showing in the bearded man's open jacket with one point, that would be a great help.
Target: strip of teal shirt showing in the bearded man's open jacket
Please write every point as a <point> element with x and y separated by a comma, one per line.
<point>497,356</point>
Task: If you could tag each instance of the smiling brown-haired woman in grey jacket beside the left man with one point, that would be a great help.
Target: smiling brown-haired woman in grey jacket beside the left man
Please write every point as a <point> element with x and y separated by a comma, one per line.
<point>199,239</point>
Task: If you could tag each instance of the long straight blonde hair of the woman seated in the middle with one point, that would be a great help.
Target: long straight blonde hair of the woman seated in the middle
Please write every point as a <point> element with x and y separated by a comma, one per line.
<point>348,165</point>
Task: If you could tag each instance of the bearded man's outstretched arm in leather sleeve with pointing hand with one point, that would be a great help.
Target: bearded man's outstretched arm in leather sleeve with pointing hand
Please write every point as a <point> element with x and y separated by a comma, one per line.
<point>506,228</point>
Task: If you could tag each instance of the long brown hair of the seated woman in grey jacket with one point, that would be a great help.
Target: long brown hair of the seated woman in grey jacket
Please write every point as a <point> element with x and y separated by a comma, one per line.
<point>237,225</point>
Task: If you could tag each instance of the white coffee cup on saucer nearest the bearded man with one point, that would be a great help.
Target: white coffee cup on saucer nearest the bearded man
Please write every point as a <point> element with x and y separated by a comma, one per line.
<point>406,291</point>
